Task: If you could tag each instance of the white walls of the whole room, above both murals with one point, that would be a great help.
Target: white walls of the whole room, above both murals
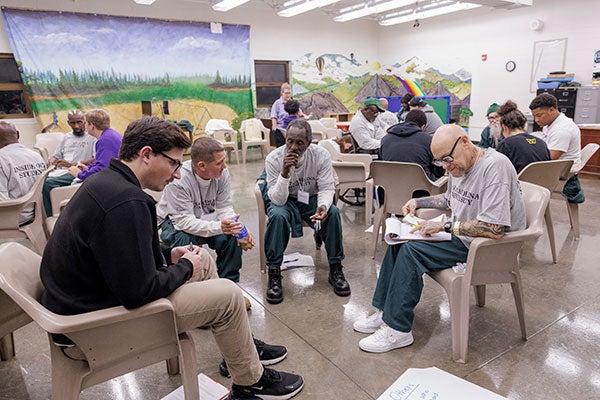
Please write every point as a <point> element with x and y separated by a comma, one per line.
<point>454,41</point>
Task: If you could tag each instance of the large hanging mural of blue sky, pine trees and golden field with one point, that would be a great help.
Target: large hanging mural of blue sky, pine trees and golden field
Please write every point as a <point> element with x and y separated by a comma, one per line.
<point>72,60</point>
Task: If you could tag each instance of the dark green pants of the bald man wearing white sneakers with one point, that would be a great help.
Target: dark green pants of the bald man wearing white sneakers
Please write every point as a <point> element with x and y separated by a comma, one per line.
<point>400,281</point>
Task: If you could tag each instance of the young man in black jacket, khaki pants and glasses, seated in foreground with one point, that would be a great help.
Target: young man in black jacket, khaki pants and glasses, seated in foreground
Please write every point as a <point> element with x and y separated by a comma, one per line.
<point>105,252</point>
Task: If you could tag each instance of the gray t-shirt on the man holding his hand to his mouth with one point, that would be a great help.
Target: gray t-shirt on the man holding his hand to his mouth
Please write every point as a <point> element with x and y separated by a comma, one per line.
<point>313,174</point>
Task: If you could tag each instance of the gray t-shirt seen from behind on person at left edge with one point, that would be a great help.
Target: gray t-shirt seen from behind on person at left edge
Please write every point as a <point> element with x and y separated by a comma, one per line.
<point>19,169</point>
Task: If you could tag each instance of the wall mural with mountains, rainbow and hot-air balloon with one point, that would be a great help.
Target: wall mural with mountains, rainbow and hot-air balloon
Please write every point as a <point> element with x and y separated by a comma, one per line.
<point>336,83</point>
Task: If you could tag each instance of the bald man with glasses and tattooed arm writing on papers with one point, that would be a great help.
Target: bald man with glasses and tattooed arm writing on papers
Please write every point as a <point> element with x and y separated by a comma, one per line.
<point>484,197</point>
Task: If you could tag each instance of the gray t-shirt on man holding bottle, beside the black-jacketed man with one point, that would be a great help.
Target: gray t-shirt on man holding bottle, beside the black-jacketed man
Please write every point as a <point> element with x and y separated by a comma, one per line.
<point>195,205</point>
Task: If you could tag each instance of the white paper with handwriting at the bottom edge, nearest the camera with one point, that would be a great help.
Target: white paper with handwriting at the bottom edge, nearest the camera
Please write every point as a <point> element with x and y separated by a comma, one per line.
<point>434,383</point>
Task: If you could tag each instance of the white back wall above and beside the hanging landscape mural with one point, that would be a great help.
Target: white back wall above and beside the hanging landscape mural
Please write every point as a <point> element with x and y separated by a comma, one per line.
<point>271,37</point>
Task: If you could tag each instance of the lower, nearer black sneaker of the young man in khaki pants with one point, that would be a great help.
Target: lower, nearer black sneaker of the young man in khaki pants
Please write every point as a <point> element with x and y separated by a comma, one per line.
<point>273,385</point>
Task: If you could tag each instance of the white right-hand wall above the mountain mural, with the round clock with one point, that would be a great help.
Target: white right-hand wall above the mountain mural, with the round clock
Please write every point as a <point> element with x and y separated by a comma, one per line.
<point>459,40</point>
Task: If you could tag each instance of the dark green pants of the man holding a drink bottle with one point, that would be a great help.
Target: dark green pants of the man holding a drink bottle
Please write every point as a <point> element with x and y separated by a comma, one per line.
<point>229,254</point>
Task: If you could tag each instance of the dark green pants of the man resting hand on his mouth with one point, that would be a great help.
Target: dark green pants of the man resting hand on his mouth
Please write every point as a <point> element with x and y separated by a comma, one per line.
<point>279,227</point>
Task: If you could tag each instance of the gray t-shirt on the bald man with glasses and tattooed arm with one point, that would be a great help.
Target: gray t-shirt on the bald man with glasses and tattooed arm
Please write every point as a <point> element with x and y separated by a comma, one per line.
<point>489,192</point>
